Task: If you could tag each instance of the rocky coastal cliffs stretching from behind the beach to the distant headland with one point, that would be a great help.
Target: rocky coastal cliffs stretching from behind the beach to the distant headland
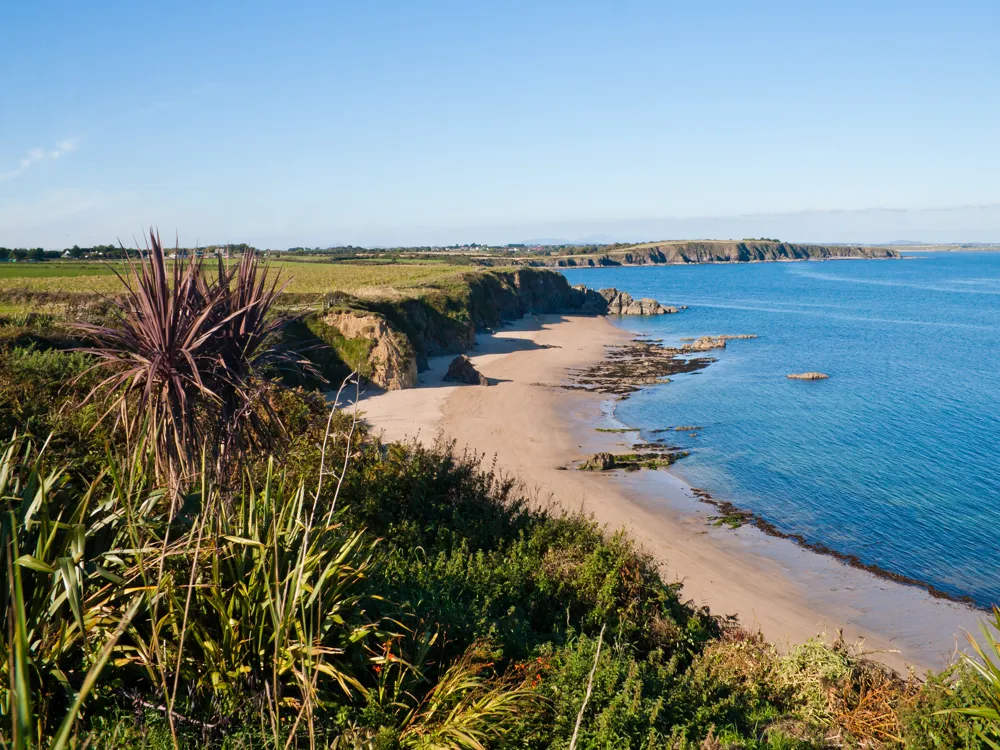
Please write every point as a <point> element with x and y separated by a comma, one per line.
<point>403,330</point>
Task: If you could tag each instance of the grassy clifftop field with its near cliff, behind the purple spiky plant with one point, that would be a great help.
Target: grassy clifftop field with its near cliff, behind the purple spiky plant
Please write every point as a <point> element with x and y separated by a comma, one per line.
<point>381,318</point>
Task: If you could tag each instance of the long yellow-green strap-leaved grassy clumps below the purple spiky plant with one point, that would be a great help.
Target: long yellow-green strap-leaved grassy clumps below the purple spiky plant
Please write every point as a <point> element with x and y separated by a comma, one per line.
<point>257,609</point>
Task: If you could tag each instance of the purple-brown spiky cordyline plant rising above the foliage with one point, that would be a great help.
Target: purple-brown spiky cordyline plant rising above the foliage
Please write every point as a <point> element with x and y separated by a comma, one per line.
<point>187,356</point>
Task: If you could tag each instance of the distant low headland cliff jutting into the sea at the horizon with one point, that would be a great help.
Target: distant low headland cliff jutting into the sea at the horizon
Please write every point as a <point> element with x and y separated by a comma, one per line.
<point>729,252</point>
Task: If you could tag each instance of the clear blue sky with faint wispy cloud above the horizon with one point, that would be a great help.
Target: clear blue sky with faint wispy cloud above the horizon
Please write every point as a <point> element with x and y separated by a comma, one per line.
<point>380,122</point>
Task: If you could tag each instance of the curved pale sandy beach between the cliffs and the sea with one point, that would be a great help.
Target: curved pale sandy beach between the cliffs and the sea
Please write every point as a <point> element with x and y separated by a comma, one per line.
<point>536,430</point>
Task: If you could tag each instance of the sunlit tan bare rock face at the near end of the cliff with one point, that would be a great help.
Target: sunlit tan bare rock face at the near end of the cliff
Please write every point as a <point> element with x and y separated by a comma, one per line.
<point>390,362</point>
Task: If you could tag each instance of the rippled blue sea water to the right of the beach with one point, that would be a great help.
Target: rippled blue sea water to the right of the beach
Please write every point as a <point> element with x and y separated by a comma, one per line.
<point>895,458</point>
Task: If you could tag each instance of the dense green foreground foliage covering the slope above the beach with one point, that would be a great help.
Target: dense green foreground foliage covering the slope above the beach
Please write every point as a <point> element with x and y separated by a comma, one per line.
<point>357,595</point>
